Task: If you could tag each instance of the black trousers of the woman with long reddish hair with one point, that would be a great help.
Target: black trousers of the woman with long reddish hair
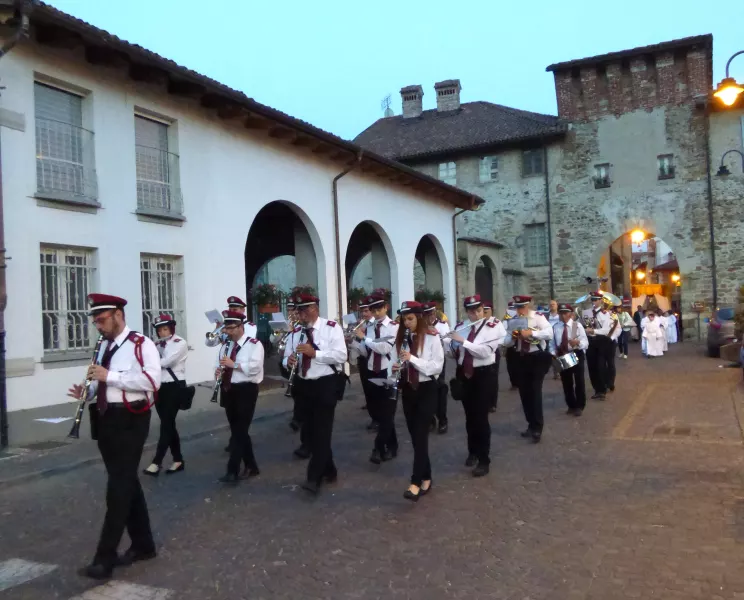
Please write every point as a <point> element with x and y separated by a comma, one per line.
<point>418,407</point>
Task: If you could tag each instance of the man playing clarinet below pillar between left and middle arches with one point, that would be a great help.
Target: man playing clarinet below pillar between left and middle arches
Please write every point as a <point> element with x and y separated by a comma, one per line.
<point>322,352</point>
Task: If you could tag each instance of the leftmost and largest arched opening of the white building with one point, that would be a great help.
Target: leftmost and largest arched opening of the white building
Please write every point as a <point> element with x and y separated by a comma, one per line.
<point>284,249</point>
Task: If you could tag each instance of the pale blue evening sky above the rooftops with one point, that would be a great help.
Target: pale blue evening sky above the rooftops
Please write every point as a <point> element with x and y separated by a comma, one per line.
<point>331,62</point>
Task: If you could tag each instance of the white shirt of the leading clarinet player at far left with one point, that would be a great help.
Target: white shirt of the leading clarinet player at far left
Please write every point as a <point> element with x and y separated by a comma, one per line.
<point>125,375</point>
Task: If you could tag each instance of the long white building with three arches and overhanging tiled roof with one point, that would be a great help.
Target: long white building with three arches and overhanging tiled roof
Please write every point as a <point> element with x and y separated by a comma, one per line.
<point>125,173</point>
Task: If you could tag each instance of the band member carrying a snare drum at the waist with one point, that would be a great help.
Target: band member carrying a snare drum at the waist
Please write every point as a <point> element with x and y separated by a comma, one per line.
<point>569,336</point>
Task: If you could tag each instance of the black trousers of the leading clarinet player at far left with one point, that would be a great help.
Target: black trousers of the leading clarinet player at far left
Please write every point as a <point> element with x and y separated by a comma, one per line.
<point>121,437</point>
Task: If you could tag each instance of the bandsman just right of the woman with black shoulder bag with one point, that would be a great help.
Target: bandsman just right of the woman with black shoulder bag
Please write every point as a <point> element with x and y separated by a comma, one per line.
<point>242,366</point>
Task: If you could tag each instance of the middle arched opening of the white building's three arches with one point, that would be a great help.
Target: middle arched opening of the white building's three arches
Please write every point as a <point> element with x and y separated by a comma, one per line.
<point>368,264</point>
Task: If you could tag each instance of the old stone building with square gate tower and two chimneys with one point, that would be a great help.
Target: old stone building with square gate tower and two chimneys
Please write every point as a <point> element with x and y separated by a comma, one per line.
<point>636,145</point>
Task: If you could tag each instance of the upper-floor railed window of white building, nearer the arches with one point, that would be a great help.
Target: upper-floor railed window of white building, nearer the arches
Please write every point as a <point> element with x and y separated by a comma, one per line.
<point>157,182</point>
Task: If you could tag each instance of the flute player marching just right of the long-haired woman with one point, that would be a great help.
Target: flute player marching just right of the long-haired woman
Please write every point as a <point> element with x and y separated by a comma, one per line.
<point>475,356</point>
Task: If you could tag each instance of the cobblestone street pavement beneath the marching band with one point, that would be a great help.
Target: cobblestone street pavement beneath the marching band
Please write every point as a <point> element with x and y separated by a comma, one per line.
<point>642,497</point>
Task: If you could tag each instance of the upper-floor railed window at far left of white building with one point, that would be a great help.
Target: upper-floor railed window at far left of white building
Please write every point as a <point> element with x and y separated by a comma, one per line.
<point>65,162</point>
